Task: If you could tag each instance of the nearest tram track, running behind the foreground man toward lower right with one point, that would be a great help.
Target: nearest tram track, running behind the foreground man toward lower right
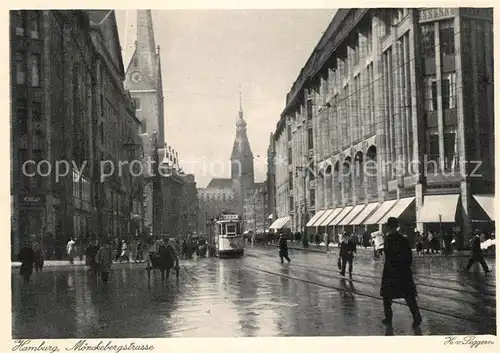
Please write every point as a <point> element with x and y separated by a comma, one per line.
<point>363,294</point>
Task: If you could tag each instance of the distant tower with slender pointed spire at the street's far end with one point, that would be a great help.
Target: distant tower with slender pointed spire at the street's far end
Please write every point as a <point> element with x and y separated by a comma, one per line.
<point>242,173</point>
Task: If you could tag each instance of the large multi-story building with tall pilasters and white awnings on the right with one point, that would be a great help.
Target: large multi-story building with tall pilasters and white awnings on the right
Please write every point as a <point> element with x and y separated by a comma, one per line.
<point>390,116</point>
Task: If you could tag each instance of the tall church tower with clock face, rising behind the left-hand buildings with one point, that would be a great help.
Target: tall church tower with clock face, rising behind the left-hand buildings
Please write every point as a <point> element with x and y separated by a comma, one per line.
<point>144,82</point>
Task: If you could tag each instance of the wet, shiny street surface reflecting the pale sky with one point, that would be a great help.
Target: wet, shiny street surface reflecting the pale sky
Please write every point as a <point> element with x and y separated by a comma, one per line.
<point>252,296</point>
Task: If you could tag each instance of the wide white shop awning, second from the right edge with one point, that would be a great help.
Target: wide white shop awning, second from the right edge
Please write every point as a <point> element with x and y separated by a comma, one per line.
<point>439,208</point>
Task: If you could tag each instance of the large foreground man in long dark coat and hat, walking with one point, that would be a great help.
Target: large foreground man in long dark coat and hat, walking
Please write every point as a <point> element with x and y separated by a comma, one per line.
<point>397,277</point>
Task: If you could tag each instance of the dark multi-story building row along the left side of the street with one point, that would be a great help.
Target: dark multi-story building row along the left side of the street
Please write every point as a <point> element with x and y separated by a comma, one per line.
<point>65,64</point>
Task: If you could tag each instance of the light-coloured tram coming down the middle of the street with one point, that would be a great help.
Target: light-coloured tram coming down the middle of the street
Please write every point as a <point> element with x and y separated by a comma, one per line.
<point>226,238</point>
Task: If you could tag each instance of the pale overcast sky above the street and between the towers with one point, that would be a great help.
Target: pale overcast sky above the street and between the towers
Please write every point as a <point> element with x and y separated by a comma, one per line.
<point>206,55</point>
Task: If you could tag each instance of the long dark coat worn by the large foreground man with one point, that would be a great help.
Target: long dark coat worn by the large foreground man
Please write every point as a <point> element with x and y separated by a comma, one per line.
<point>397,277</point>
